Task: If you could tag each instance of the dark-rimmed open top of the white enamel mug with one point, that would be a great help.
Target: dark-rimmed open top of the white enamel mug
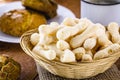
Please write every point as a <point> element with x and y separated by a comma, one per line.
<point>103,2</point>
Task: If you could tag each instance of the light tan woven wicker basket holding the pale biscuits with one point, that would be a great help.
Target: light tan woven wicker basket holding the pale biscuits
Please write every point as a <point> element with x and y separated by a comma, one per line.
<point>78,70</point>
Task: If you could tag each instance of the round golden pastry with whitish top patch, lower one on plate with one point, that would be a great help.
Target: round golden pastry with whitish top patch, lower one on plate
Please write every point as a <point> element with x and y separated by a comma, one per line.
<point>16,22</point>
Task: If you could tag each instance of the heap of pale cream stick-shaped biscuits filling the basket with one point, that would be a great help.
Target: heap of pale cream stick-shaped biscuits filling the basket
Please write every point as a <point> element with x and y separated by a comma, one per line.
<point>76,40</point>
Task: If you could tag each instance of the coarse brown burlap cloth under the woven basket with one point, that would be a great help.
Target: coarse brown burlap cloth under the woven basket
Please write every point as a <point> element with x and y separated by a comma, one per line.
<point>111,74</point>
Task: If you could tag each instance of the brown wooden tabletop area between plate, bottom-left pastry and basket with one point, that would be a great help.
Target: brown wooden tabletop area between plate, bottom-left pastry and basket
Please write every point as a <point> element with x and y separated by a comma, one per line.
<point>27,63</point>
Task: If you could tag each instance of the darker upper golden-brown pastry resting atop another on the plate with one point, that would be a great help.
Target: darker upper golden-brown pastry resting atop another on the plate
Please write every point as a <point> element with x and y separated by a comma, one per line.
<point>48,7</point>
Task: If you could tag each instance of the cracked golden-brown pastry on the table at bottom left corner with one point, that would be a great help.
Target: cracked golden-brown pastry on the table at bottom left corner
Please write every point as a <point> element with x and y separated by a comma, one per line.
<point>9,69</point>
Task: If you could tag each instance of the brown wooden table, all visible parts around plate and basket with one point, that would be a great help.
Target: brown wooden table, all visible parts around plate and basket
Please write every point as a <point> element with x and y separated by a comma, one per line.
<point>29,71</point>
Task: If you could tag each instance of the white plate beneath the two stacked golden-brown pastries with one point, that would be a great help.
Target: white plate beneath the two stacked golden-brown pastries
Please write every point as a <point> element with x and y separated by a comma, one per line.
<point>62,12</point>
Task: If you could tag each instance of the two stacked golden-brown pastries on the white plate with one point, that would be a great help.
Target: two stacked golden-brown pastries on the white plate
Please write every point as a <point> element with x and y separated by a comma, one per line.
<point>36,12</point>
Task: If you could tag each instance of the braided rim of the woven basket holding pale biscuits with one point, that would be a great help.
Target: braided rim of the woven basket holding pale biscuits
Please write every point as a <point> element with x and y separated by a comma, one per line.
<point>36,58</point>
